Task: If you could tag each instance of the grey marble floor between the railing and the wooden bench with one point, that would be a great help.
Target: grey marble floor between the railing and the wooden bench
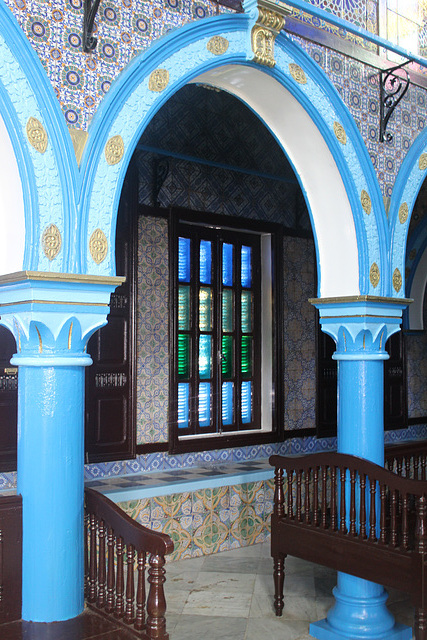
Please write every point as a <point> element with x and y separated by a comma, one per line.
<point>228,596</point>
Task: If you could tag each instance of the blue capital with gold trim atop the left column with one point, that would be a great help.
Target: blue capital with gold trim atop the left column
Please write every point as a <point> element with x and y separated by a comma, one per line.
<point>53,315</point>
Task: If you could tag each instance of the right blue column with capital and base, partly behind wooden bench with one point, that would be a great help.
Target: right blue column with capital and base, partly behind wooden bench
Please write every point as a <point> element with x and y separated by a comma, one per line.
<point>360,327</point>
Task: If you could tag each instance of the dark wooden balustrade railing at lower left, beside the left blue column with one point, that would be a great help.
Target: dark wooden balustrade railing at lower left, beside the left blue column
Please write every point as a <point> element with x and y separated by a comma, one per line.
<point>116,548</point>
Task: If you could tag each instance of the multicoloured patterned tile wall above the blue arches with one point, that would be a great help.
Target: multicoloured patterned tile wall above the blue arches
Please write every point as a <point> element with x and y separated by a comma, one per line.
<point>125,28</point>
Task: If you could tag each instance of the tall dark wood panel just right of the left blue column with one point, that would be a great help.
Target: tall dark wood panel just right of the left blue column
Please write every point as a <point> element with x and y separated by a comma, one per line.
<point>110,381</point>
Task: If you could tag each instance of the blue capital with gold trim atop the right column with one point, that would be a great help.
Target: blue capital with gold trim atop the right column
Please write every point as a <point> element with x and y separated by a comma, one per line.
<point>360,325</point>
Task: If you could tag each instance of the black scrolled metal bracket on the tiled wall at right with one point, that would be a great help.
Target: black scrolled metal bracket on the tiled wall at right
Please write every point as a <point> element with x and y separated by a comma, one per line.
<point>392,89</point>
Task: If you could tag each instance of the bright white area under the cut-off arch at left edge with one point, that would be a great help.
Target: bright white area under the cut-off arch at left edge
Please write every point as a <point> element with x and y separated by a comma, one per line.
<point>12,221</point>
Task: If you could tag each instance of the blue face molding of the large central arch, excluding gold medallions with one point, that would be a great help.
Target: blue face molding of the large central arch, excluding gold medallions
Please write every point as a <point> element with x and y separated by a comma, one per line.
<point>129,106</point>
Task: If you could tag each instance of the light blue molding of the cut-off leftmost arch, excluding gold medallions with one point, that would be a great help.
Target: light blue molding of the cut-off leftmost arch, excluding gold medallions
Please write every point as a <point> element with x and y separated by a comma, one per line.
<point>49,180</point>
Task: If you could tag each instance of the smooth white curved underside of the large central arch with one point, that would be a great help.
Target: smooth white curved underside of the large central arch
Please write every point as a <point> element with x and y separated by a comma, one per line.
<point>313,163</point>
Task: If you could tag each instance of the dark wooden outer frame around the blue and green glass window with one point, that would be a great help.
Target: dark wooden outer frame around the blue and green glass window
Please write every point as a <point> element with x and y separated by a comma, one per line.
<point>179,442</point>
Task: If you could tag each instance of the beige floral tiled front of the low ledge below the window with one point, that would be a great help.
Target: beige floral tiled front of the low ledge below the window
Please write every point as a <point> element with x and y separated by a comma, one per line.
<point>209,520</point>
